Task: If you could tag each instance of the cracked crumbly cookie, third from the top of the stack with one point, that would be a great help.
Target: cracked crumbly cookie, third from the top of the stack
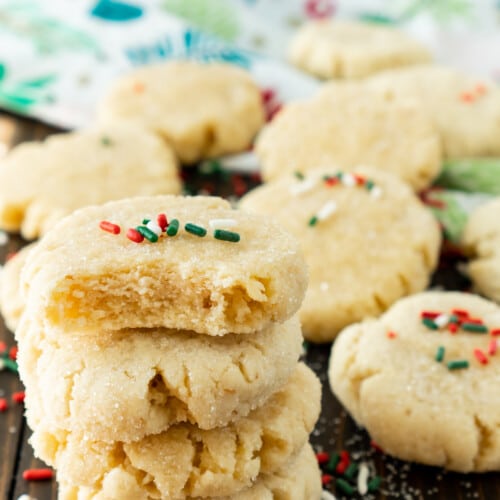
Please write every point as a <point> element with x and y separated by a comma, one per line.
<point>186,461</point>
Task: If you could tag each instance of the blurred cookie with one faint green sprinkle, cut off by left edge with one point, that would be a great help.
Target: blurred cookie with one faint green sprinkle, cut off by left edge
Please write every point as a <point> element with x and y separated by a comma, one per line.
<point>42,182</point>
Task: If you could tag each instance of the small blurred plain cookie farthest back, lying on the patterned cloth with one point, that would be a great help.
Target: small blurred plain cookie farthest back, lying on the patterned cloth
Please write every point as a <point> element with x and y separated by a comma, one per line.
<point>347,49</point>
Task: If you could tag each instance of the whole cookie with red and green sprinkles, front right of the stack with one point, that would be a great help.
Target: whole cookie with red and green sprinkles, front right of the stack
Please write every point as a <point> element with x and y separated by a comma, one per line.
<point>422,380</point>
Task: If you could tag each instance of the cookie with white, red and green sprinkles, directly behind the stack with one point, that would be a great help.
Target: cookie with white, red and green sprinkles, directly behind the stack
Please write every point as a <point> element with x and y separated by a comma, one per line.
<point>366,238</point>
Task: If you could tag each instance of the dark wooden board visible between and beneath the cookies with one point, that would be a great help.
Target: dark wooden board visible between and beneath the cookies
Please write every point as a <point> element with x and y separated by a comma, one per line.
<point>335,430</point>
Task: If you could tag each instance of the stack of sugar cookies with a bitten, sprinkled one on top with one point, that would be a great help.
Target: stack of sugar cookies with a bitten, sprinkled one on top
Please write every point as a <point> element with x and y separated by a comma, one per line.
<point>159,351</point>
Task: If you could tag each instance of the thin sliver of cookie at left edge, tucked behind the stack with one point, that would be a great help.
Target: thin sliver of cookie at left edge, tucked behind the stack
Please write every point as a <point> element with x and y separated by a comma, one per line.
<point>11,299</point>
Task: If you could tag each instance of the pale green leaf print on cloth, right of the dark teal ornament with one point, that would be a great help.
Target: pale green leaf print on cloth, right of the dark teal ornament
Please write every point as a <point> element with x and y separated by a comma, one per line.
<point>216,16</point>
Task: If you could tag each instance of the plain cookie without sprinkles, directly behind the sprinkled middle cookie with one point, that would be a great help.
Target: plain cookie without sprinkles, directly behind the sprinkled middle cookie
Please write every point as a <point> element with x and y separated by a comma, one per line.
<point>350,124</point>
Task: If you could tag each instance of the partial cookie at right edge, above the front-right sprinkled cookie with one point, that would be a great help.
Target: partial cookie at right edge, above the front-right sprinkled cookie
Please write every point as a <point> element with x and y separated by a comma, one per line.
<point>481,241</point>
